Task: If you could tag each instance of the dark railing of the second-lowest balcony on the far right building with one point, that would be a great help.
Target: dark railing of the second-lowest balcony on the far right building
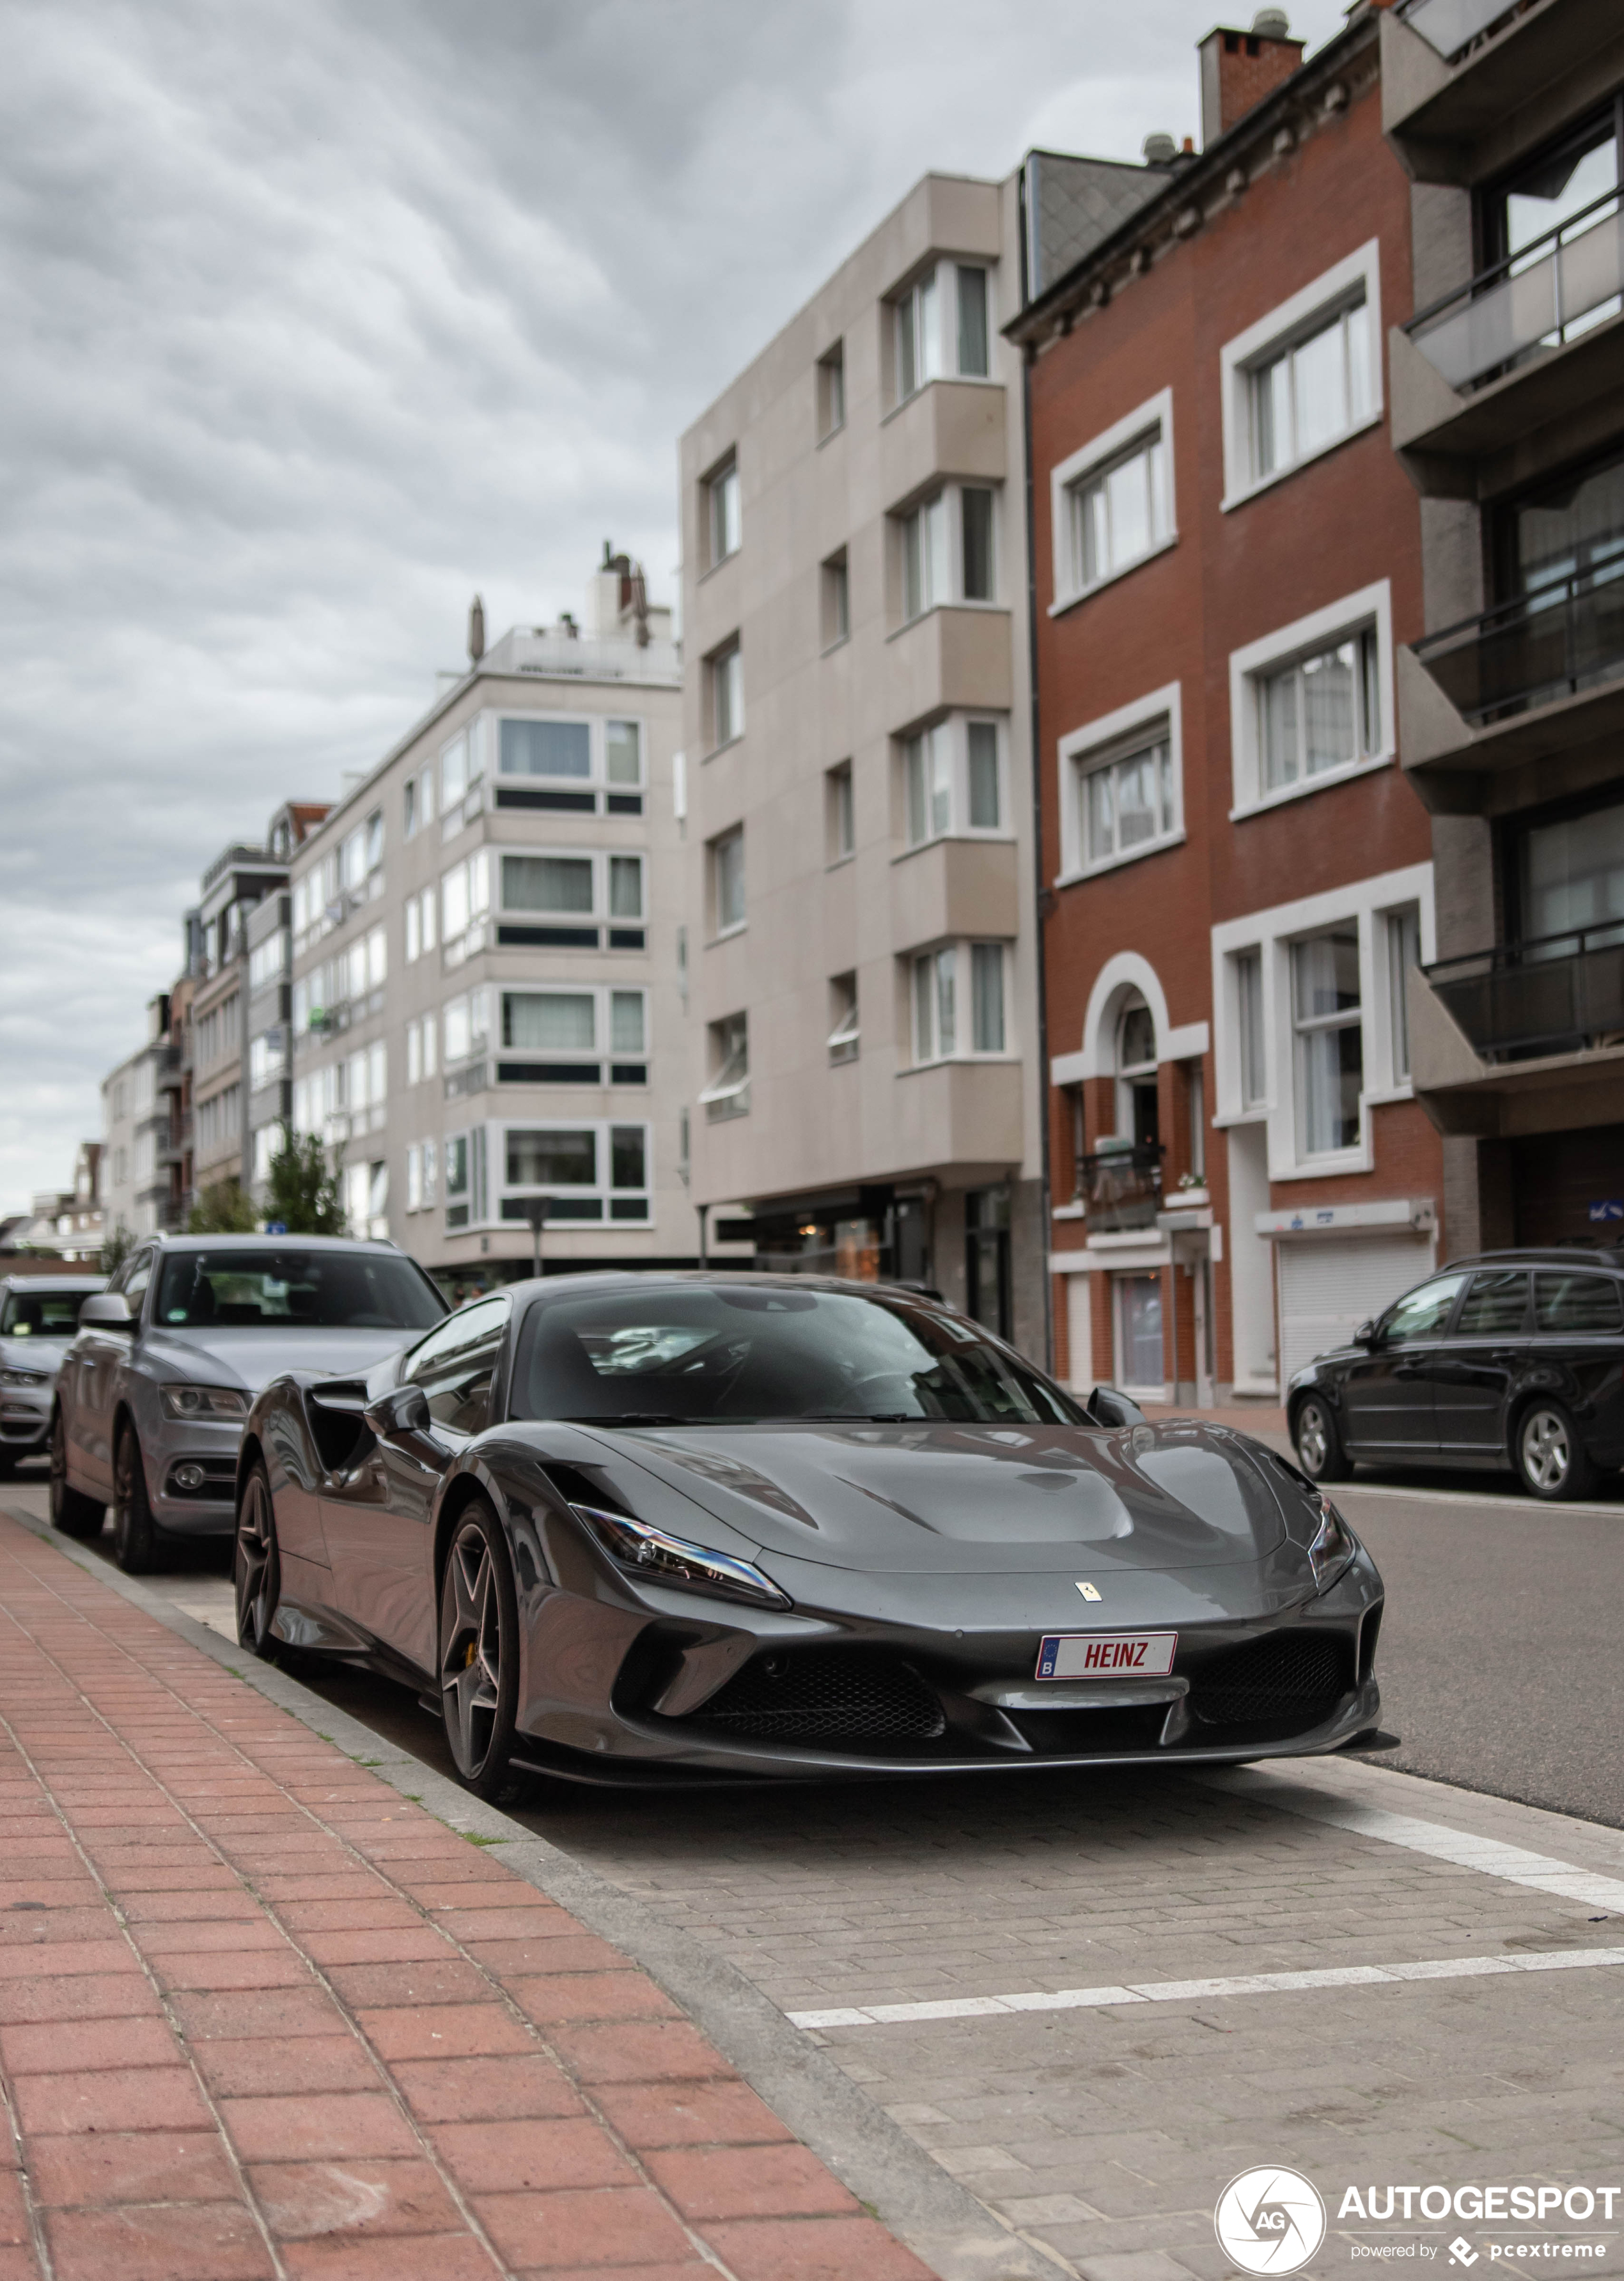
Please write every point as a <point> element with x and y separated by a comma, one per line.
<point>1536,649</point>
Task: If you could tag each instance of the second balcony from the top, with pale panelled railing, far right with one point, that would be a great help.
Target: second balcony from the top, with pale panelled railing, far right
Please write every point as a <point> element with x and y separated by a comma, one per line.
<point>1520,348</point>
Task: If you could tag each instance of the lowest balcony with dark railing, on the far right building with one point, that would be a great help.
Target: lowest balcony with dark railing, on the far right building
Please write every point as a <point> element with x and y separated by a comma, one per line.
<point>1522,1039</point>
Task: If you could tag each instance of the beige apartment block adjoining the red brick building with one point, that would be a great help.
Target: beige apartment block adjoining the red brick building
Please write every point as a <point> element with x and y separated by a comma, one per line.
<point>859,786</point>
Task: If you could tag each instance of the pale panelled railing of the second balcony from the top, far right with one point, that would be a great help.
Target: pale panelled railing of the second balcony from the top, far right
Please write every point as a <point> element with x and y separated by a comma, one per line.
<point>1541,298</point>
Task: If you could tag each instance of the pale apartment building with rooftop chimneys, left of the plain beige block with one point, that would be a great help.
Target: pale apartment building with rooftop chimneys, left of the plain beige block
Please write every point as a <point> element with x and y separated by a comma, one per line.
<point>487,959</point>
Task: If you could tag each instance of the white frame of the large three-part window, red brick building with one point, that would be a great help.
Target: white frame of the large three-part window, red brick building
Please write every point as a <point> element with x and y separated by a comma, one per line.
<point>1272,934</point>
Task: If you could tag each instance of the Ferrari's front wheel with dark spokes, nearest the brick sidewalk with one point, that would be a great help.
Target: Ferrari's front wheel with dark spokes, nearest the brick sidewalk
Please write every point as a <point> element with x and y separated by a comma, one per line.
<point>478,1655</point>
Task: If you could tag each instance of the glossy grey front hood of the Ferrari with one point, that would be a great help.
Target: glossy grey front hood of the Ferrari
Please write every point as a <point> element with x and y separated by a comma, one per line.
<point>975,1500</point>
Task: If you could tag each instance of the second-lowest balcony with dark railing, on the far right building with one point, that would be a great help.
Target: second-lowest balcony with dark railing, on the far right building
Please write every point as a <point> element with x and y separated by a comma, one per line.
<point>1525,685</point>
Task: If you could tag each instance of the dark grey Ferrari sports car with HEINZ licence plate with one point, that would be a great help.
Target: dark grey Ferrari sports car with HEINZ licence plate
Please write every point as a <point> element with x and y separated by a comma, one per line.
<point>656,1527</point>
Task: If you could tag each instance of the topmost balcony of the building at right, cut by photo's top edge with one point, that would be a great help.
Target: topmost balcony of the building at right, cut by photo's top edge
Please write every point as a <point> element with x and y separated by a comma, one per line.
<point>1459,76</point>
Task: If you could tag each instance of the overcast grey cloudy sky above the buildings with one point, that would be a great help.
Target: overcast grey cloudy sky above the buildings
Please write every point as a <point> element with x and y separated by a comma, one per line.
<point>325,314</point>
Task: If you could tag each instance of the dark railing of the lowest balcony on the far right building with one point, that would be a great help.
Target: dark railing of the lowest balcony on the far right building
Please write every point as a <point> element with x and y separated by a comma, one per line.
<point>1561,993</point>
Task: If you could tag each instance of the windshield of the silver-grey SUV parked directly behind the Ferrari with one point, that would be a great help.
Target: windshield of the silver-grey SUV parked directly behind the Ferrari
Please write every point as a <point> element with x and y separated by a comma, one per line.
<point>275,1290</point>
